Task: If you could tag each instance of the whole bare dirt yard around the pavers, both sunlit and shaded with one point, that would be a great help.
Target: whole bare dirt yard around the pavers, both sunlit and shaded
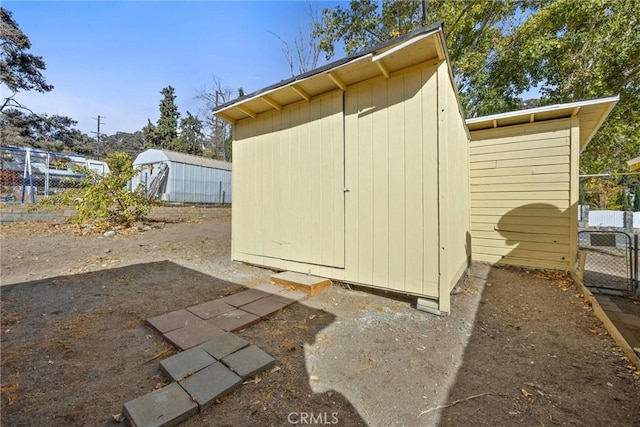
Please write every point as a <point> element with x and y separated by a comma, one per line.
<point>519,348</point>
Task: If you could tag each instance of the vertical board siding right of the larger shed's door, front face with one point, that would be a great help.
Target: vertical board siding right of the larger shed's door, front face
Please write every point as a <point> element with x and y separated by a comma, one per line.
<point>387,145</point>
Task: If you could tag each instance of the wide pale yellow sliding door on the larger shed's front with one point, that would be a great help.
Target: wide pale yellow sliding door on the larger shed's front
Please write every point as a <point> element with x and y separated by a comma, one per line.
<point>289,181</point>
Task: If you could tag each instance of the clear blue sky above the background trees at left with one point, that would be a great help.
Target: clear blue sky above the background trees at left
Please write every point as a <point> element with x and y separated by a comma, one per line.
<point>113,58</point>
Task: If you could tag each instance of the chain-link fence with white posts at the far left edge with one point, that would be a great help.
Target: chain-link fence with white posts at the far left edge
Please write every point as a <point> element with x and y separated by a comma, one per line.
<point>29,175</point>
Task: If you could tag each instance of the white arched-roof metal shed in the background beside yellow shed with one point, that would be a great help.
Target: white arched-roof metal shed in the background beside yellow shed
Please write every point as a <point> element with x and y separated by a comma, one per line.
<point>183,178</point>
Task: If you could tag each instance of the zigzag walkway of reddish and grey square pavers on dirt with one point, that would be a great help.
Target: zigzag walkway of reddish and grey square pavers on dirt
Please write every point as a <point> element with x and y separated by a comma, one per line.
<point>214,361</point>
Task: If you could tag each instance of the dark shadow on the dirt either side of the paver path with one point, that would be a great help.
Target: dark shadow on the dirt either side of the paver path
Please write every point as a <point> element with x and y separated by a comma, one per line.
<point>75,349</point>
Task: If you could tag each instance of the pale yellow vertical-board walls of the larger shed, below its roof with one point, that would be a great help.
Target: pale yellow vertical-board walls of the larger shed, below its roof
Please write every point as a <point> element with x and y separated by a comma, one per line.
<point>391,206</point>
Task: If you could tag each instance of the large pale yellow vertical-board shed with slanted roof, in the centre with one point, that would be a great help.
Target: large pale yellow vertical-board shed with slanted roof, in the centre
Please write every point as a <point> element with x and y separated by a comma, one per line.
<point>357,171</point>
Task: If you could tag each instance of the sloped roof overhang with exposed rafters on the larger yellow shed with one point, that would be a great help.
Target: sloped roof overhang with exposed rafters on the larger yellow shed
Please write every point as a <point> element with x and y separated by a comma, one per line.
<point>424,44</point>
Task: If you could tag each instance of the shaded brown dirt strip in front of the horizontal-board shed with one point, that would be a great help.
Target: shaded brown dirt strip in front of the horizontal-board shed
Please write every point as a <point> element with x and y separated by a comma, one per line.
<point>556,364</point>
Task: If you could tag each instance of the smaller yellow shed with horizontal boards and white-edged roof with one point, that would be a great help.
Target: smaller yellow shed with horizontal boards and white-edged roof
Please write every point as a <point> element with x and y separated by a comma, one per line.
<point>524,182</point>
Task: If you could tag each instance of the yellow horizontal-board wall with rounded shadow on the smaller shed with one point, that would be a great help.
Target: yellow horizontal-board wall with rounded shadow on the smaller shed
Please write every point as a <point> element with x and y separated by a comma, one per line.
<point>520,190</point>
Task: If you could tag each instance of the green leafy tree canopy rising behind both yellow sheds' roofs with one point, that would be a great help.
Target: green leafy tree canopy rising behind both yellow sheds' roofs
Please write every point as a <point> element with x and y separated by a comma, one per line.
<point>569,50</point>
